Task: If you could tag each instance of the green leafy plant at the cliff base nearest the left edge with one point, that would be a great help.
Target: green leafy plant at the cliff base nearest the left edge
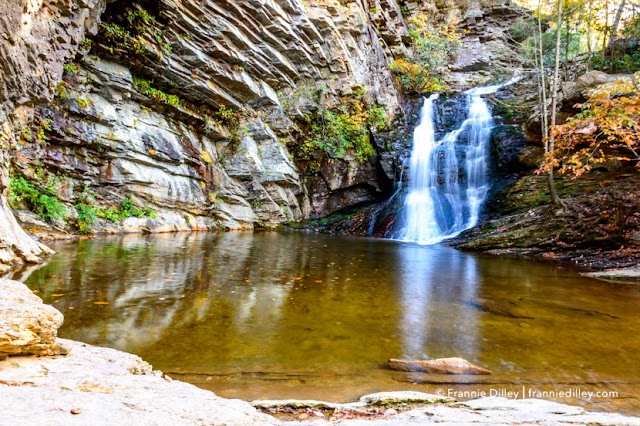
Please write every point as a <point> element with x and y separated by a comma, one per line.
<point>42,201</point>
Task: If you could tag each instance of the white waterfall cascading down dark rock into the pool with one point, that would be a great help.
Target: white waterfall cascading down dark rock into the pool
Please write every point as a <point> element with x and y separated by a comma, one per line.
<point>448,181</point>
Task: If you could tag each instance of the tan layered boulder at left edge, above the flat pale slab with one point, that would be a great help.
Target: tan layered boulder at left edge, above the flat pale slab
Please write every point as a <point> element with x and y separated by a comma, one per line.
<point>27,325</point>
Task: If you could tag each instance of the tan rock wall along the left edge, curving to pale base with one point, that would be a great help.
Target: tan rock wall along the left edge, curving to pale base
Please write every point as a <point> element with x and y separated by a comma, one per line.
<point>37,38</point>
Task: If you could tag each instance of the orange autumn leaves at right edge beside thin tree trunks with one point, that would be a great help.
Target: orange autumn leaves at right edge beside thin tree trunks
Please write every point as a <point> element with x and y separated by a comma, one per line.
<point>607,128</point>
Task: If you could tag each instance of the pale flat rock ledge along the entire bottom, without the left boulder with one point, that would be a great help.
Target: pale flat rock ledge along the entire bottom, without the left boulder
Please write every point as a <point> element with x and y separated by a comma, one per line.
<point>99,386</point>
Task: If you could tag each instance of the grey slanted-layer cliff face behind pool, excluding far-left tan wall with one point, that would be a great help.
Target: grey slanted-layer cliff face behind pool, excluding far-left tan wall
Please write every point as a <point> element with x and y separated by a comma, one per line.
<point>239,82</point>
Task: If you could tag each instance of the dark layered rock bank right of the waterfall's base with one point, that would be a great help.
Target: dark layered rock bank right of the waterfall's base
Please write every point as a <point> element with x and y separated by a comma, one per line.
<point>596,229</point>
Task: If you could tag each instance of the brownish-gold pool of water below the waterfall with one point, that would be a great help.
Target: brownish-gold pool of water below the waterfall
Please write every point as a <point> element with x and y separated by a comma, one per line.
<point>294,315</point>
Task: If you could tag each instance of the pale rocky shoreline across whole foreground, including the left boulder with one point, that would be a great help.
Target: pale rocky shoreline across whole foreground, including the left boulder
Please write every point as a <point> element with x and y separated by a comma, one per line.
<point>76,383</point>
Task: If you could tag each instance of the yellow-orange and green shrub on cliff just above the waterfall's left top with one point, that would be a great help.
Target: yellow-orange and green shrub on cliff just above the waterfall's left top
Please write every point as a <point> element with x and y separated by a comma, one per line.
<point>433,48</point>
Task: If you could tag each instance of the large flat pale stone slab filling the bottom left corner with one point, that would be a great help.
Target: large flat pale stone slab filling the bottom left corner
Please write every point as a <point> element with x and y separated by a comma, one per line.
<point>99,386</point>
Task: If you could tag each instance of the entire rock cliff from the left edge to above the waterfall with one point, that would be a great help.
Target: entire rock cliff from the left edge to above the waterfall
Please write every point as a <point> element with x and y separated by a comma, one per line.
<point>198,110</point>
